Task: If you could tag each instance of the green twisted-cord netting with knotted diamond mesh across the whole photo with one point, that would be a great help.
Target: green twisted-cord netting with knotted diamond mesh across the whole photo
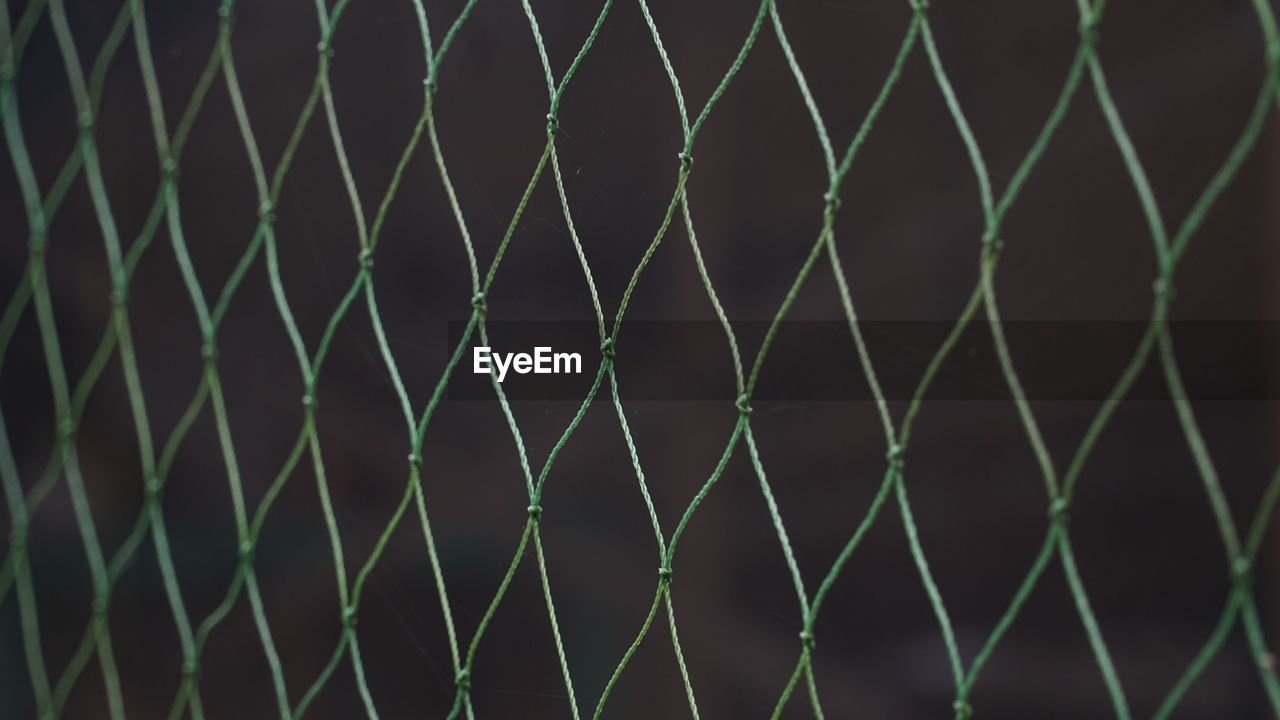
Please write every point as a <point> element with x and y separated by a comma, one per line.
<point>52,686</point>
